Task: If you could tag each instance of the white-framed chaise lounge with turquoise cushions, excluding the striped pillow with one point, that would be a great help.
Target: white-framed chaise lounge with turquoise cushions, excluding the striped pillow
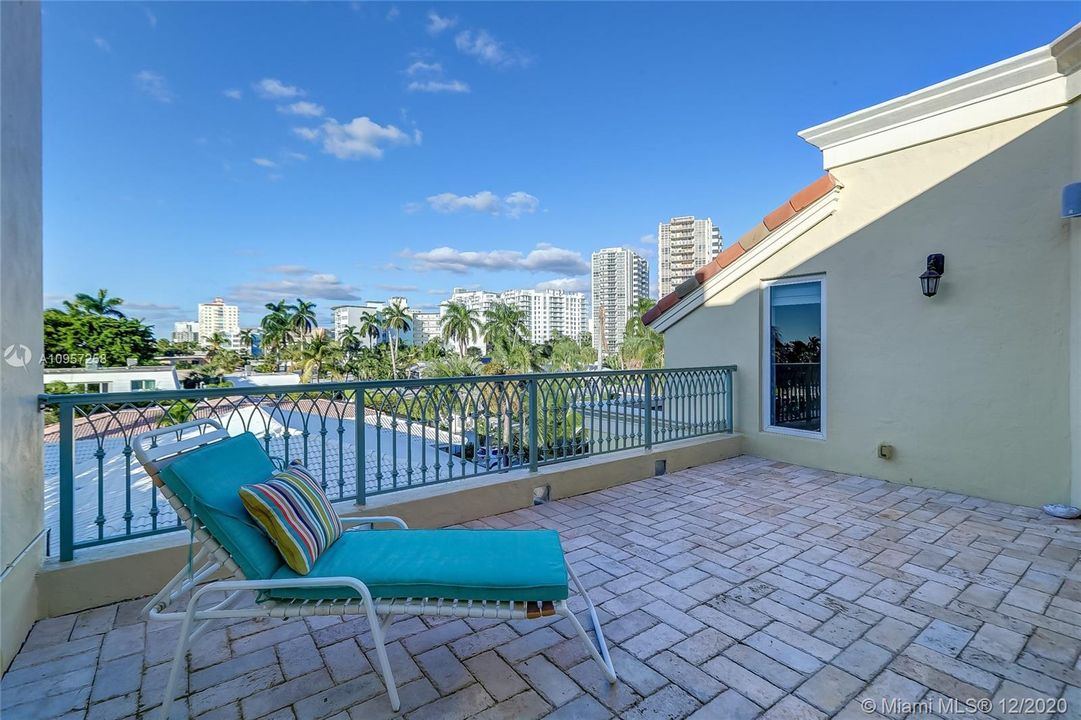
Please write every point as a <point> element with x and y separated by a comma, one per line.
<point>502,575</point>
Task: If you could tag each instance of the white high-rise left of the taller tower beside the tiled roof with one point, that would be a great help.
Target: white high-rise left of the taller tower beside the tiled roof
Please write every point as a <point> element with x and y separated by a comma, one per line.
<point>621,277</point>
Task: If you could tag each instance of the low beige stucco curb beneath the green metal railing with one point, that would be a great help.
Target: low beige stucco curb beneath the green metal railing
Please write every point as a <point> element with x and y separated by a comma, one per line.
<point>109,575</point>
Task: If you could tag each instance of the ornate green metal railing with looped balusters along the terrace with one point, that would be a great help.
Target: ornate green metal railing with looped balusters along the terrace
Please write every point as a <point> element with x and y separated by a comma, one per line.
<point>412,433</point>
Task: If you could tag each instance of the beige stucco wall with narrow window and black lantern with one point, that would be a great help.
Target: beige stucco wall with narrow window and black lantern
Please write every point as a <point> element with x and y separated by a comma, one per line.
<point>971,388</point>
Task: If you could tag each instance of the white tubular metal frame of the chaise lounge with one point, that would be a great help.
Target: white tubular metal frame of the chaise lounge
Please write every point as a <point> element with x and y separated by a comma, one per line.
<point>212,558</point>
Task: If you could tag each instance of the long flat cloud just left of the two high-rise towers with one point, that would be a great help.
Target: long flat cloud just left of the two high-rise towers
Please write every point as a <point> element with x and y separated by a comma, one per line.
<point>542,259</point>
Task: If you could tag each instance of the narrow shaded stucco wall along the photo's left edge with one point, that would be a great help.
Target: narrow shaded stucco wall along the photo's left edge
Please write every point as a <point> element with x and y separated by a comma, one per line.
<point>21,476</point>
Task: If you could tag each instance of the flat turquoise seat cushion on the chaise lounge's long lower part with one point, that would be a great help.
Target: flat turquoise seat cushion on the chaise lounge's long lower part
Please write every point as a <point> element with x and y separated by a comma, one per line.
<point>463,565</point>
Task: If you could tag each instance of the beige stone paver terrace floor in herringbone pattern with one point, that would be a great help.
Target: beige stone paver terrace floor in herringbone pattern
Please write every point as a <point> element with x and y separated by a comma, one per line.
<point>739,590</point>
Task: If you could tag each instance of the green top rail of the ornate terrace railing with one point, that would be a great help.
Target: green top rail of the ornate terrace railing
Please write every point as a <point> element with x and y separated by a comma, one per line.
<point>201,394</point>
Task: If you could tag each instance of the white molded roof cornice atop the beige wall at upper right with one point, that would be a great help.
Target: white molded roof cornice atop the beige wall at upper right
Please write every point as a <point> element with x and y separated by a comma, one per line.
<point>1035,72</point>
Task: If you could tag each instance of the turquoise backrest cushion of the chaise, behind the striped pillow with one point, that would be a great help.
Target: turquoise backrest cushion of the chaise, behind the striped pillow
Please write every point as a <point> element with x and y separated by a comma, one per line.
<point>208,481</point>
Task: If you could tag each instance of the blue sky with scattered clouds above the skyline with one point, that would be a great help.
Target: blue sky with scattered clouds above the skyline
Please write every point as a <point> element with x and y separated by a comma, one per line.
<point>344,152</point>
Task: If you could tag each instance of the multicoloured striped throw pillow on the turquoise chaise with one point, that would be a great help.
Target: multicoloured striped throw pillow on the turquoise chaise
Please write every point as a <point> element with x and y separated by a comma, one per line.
<point>295,512</point>
